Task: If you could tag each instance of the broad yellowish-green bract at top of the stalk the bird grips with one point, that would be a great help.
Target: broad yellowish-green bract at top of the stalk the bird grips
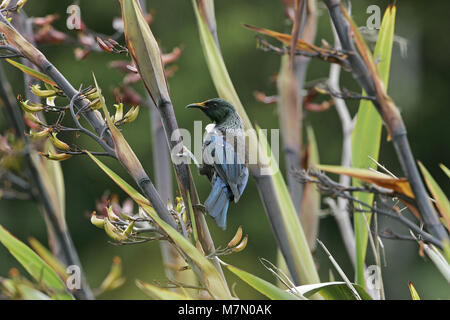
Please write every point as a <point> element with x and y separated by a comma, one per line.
<point>144,51</point>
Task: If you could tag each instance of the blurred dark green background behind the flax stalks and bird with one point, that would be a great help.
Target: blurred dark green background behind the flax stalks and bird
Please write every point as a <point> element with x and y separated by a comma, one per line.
<point>419,84</point>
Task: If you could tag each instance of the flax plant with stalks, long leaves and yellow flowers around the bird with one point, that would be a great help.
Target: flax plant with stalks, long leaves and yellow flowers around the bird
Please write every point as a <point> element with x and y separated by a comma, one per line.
<point>195,268</point>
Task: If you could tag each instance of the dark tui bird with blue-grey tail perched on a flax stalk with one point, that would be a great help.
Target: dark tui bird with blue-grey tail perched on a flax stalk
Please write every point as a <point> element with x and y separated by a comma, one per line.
<point>223,157</point>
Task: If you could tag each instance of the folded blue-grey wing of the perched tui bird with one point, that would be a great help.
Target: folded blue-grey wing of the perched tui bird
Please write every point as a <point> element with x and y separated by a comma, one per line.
<point>228,165</point>
